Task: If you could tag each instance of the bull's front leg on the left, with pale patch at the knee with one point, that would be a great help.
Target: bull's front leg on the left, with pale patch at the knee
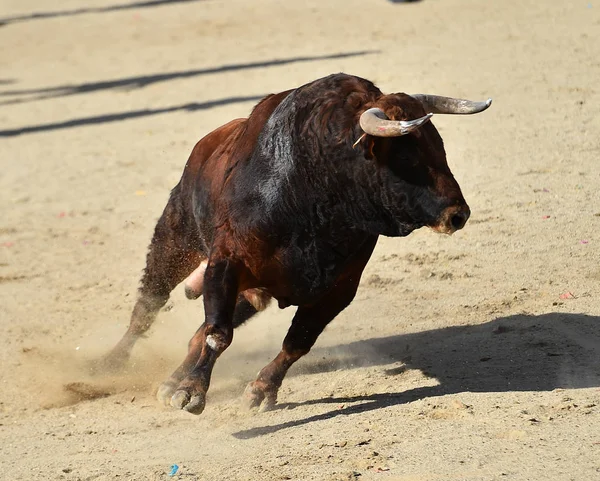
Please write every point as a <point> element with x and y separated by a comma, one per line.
<point>213,337</point>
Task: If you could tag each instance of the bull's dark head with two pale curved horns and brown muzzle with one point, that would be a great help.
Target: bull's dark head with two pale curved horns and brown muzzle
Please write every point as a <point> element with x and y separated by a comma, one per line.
<point>418,187</point>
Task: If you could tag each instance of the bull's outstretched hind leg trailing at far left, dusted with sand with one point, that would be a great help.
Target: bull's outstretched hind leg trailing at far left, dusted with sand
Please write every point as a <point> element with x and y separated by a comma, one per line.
<point>170,259</point>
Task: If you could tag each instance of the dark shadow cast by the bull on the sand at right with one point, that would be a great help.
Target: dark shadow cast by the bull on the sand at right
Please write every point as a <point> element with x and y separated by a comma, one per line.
<point>514,353</point>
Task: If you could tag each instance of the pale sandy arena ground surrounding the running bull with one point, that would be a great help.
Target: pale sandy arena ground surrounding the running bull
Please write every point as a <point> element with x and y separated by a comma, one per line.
<point>471,357</point>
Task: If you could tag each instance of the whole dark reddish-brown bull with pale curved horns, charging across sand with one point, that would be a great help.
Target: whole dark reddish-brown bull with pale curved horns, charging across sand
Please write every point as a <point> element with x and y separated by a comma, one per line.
<point>288,204</point>
